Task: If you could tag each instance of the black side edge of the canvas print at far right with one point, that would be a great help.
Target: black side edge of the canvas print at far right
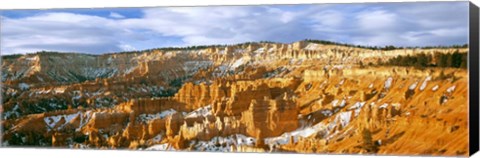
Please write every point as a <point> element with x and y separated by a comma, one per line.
<point>473,79</point>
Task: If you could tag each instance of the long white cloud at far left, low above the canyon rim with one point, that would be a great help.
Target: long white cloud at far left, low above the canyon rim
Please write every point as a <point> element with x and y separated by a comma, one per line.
<point>60,32</point>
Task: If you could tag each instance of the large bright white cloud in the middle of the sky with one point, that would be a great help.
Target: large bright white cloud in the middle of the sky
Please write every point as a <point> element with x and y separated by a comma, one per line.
<point>214,25</point>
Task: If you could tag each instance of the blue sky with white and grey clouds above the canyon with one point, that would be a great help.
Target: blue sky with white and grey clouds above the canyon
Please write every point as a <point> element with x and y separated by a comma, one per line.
<point>106,30</point>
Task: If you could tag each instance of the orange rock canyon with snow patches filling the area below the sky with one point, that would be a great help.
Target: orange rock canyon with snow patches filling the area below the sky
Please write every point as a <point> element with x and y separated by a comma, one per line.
<point>261,97</point>
